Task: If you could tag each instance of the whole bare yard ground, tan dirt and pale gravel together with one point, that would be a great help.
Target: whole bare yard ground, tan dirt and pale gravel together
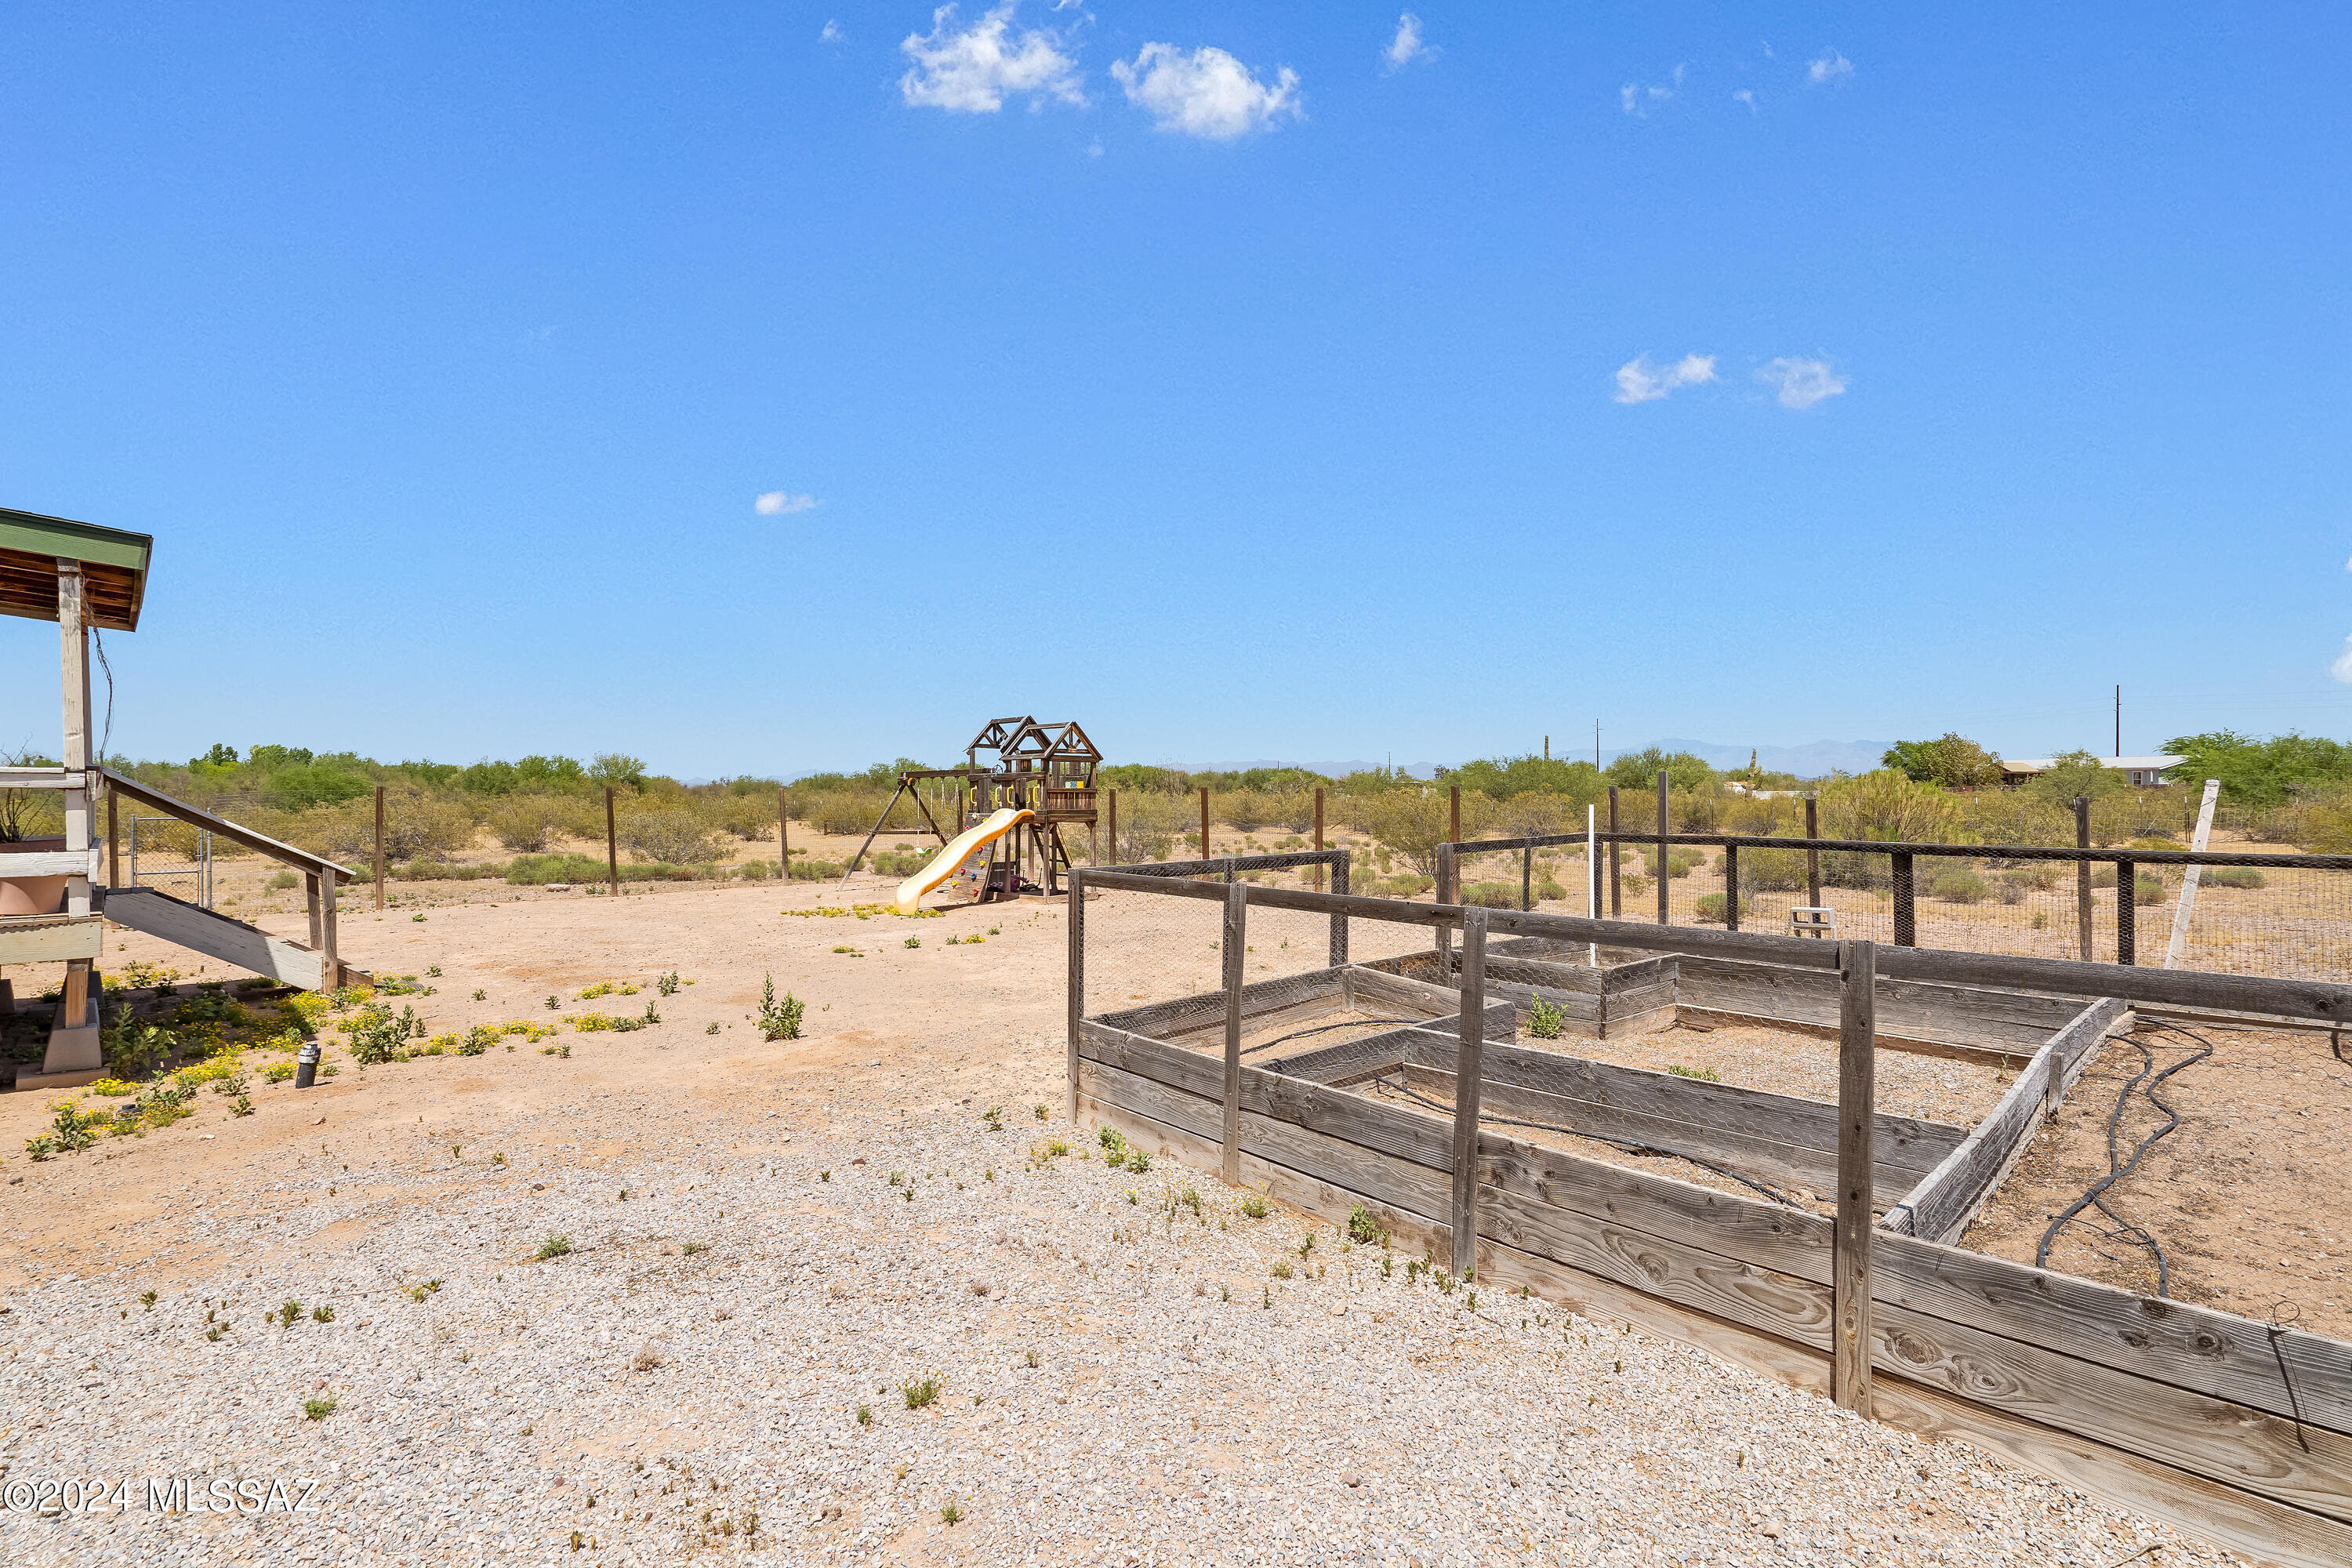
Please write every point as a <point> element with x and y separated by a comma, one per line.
<point>723,1360</point>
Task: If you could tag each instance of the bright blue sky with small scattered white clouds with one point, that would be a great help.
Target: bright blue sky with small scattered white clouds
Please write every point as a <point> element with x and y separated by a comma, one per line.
<point>1243,382</point>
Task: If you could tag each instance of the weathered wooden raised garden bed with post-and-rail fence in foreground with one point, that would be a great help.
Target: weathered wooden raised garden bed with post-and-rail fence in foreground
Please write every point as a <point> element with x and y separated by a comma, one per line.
<point>2229,1428</point>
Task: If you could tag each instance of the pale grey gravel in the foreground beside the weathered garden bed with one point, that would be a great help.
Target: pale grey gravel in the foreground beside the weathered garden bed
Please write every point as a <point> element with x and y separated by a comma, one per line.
<point>664,1405</point>
